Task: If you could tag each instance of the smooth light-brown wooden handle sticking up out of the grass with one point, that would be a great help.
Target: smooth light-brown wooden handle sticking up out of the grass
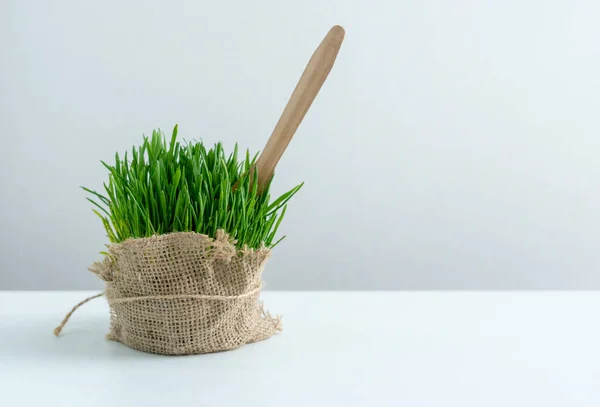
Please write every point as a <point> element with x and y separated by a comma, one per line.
<point>306,90</point>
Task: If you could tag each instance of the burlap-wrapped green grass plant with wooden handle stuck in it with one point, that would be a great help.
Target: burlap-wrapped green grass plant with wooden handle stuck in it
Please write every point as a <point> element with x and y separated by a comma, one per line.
<point>190,230</point>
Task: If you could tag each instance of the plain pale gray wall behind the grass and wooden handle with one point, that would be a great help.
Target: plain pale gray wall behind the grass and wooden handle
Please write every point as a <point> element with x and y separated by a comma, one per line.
<point>454,146</point>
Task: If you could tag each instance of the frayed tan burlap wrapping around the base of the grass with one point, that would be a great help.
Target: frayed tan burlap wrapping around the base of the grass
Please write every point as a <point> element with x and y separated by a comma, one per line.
<point>185,293</point>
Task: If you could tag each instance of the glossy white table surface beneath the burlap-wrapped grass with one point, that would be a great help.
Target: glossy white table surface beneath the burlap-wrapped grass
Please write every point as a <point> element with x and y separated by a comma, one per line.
<point>337,349</point>
